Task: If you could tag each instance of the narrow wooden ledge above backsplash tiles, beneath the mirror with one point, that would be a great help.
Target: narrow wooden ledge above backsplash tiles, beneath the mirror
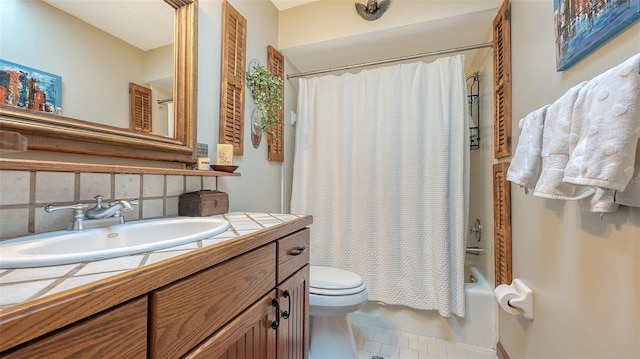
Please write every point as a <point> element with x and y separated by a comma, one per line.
<point>32,165</point>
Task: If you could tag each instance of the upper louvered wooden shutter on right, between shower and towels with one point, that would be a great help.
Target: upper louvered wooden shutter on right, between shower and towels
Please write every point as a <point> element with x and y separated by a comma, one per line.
<point>502,81</point>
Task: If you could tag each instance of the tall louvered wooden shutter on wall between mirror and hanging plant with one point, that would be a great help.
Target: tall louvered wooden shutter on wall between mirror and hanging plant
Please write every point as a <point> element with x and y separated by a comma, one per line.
<point>232,80</point>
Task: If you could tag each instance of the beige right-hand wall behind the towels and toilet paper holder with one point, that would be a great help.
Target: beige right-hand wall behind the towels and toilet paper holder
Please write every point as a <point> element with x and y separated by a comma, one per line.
<point>583,269</point>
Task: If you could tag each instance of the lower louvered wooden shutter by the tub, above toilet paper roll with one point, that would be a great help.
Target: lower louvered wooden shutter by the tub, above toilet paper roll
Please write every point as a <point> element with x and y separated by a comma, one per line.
<point>502,223</point>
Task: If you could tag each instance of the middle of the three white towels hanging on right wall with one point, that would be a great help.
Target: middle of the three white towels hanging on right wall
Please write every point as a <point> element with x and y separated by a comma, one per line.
<point>555,150</point>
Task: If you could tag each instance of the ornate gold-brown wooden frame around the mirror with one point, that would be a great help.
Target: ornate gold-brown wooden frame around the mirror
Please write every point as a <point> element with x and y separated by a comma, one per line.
<point>63,134</point>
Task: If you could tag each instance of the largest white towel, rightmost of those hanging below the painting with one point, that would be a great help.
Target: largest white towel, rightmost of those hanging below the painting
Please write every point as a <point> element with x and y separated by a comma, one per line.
<point>605,127</point>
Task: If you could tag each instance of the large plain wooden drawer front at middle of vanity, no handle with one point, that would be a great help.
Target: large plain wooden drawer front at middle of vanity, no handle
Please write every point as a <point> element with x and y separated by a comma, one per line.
<point>185,313</point>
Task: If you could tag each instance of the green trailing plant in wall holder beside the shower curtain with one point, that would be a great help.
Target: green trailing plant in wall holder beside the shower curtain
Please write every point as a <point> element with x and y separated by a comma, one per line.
<point>266,89</point>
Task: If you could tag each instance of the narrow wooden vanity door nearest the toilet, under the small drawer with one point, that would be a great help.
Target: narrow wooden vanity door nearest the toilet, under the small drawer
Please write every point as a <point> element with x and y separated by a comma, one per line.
<point>293,333</point>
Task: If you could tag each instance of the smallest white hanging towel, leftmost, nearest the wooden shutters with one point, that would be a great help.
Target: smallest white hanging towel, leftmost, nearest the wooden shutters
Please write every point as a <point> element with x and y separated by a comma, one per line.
<point>526,163</point>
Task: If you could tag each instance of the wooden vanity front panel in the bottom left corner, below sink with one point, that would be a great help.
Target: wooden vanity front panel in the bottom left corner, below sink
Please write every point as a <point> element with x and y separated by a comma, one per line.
<point>120,332</point>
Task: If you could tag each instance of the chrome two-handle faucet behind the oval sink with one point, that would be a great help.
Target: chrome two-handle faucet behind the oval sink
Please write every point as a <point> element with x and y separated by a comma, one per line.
<point>96,217</point>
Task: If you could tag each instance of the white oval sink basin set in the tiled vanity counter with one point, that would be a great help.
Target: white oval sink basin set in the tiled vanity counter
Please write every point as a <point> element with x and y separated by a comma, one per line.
<point>63,247</point>
